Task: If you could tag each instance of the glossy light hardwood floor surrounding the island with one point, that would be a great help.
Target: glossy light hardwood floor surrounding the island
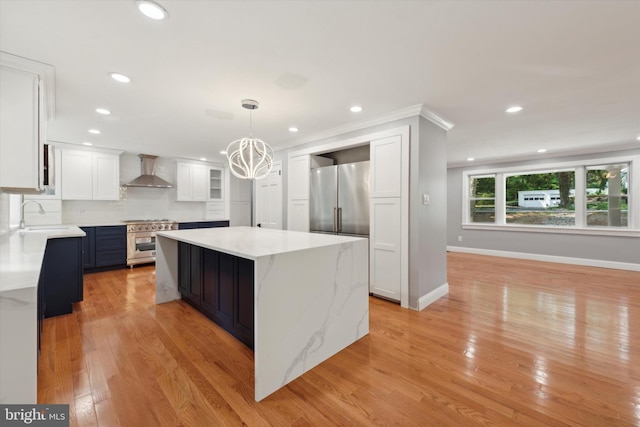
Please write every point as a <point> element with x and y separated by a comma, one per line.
<point>514,343</point>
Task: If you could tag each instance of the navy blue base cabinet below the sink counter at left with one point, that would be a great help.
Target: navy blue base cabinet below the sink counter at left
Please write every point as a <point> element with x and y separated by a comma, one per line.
<point>61,282</point>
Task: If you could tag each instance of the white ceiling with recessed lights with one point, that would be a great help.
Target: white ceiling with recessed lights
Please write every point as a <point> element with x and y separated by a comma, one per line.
<point>573,65</point>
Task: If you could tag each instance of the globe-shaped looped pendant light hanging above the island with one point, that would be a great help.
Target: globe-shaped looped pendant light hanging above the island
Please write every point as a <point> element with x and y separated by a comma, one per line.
<point>250,158</point>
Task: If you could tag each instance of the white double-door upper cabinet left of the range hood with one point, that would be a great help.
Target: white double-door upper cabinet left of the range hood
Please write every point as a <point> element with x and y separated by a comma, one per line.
<point>90,175</point>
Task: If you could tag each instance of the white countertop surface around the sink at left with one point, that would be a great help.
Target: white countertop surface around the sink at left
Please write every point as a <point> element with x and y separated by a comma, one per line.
<point>22,252</point>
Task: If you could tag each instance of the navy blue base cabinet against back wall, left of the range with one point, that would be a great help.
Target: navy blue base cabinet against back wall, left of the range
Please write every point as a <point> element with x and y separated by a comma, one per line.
<point>104,246</point>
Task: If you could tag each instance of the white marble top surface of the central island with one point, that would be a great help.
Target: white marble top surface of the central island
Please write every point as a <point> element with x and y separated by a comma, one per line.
<point>255,242</point>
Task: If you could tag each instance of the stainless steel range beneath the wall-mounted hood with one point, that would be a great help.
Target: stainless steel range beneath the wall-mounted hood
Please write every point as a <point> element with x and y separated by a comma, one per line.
<point>141,239</point>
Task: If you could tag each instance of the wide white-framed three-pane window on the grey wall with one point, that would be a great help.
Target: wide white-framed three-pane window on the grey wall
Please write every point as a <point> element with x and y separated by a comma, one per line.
<point>584,197</point>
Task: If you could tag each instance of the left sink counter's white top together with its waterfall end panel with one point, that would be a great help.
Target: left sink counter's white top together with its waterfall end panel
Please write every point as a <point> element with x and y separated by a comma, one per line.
<point>21,257</point>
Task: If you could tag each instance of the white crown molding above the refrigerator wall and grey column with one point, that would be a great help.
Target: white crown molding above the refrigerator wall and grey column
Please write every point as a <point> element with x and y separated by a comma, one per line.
<point>411,111</point>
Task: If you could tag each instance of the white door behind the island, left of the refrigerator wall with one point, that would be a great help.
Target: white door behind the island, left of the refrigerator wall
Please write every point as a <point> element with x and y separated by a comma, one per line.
<point>269,199</point>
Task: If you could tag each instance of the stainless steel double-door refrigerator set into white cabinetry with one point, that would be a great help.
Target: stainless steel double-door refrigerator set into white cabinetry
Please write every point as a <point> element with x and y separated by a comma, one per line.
<point>339,201</point>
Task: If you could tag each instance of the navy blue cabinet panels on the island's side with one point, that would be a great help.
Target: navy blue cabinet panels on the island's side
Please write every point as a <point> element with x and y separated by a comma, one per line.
<point>220,286</point>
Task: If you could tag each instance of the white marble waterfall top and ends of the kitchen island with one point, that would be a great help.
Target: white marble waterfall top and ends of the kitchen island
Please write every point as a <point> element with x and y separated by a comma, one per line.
<point>310,293</point>
